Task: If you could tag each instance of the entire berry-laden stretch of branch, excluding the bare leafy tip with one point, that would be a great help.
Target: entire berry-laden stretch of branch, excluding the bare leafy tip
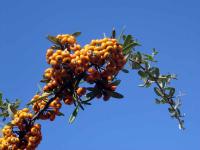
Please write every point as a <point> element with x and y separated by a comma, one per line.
<point>97,64</point>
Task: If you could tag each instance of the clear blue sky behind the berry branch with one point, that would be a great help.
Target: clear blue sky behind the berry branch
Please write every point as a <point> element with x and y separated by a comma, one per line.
<point>134,123</point>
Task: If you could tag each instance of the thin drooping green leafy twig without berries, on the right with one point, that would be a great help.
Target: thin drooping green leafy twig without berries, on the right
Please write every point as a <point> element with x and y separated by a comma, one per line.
<point>141,63</point>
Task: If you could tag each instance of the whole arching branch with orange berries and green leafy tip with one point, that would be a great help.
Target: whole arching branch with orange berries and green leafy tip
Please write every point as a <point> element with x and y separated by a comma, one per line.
<point>97,65</point>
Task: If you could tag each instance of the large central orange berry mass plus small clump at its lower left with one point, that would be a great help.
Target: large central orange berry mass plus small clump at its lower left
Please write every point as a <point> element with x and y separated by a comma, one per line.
<point>96,63</point>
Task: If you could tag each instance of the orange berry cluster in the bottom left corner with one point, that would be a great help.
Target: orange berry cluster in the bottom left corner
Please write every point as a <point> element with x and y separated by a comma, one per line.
<point>19,134</point>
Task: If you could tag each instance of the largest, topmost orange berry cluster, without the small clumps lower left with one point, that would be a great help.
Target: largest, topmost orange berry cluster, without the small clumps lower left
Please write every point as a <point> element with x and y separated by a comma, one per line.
<point>100,60</point>
